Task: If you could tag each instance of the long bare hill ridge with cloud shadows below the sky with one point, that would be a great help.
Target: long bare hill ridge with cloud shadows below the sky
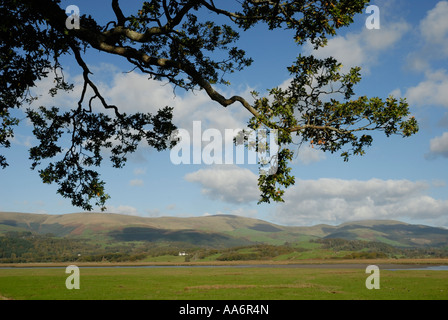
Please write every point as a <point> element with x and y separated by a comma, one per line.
<point>216,230</point>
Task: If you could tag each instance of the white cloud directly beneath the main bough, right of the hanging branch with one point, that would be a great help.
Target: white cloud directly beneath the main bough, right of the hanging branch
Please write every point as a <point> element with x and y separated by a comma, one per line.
<point>134,92</point>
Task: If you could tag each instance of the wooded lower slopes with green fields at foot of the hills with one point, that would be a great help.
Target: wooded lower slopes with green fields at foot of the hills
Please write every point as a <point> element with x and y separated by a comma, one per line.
<point>20,247</point>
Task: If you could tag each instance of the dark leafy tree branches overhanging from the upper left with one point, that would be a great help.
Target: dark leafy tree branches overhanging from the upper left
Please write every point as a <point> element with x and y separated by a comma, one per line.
<point>172,40</point>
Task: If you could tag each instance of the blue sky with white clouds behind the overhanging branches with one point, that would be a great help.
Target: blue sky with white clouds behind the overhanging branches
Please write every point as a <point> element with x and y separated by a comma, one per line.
<point>400,179</point>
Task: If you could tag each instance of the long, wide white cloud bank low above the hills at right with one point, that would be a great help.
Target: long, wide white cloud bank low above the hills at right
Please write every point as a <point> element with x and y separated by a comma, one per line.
<point>334,201</point>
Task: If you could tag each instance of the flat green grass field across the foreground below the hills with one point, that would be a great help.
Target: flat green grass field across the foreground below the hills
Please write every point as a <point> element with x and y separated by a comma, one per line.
<point>223,282</point>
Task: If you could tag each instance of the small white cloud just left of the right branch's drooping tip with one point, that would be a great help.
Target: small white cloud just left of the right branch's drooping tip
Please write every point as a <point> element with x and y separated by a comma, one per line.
<point>228,183</point>
